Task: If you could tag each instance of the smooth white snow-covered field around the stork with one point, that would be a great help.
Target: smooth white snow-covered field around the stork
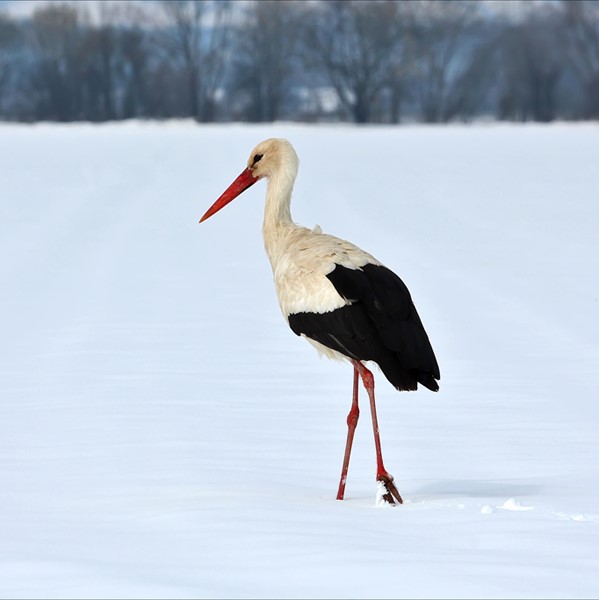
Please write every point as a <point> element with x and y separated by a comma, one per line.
<point>163,434</point>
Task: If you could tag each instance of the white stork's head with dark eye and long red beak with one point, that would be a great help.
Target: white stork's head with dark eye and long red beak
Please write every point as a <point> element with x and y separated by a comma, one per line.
<point>272,157</point>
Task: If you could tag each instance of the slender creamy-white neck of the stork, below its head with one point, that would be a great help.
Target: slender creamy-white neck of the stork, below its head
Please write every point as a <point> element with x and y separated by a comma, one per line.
<point>277,211</point>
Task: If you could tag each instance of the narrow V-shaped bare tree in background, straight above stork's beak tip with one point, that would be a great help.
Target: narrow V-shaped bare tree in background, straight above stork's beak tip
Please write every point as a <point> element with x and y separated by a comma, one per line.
<point>198,35</point>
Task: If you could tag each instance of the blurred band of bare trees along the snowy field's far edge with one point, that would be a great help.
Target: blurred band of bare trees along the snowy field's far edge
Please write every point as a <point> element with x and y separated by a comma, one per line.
<point>319,61</point>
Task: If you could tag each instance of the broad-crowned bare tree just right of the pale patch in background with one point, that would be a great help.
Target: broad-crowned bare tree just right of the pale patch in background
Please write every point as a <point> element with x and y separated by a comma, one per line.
<point>357,45</point>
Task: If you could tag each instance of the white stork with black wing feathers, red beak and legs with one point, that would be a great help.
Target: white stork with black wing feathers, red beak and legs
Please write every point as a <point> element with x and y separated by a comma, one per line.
<point>338,297</point>
